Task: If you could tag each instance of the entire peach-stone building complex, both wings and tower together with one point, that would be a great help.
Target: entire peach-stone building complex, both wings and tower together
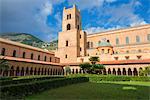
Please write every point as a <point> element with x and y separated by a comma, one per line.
<point>121,51</point>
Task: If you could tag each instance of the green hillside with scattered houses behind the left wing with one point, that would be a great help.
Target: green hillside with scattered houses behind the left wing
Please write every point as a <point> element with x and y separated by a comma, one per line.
<point>29,39</point>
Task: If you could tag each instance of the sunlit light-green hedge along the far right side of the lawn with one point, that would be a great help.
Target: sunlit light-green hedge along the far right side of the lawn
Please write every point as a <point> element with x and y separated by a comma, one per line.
<point>95,78</point>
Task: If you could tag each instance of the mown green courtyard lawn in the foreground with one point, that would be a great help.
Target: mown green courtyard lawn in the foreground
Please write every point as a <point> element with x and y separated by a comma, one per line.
<point>97,91</point>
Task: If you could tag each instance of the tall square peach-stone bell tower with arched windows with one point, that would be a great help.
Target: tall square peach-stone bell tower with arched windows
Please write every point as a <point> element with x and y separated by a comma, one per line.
<point>69,38</point>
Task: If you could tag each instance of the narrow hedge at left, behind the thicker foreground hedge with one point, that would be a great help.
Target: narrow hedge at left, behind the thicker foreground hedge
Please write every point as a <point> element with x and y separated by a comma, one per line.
<point>27,79</point>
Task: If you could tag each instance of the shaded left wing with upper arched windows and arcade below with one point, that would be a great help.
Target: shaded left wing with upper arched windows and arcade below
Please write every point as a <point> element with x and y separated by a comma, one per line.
<point>27,60</point>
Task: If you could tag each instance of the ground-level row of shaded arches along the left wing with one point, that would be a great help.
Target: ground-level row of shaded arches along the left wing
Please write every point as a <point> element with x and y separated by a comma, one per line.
<point>30,71</point>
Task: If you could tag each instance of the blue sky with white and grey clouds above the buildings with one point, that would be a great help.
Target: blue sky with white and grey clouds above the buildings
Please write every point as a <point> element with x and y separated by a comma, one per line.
<point>42,18</point>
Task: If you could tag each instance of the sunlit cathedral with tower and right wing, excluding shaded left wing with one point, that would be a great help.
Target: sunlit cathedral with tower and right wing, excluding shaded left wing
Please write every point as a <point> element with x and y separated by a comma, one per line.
<point>122,51</point>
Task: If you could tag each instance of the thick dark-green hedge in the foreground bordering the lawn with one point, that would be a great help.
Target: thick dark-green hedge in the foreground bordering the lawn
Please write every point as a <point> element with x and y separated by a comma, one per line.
<point>23,89</point>
